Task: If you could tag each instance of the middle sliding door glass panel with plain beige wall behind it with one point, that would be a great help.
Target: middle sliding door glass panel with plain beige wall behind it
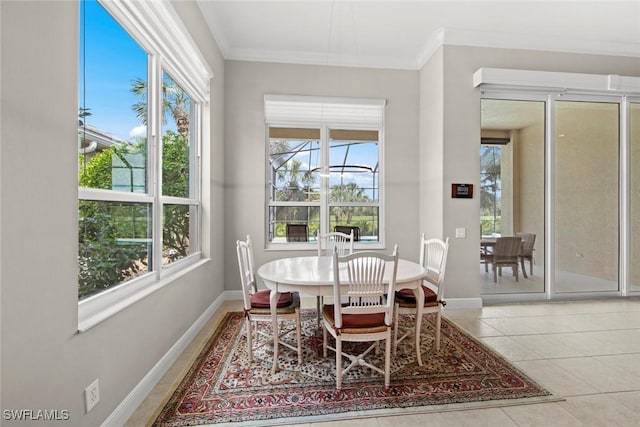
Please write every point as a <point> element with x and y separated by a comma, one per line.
<point>586,196</point>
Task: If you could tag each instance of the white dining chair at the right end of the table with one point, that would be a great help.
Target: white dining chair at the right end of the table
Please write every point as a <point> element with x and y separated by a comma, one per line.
<point>433,257</point>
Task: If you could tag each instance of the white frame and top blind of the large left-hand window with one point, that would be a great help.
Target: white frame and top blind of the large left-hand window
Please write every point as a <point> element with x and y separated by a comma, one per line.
<point>175,54</point>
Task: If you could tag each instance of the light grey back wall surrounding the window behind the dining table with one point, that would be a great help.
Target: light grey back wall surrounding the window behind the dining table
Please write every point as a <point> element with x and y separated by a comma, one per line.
<point>246,85</point>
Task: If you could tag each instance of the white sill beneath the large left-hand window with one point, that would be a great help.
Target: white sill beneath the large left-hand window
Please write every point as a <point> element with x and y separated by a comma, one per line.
<point>97,309</point>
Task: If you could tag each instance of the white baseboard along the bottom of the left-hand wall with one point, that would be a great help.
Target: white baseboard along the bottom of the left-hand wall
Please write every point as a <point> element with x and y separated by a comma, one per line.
<point>134,399</point>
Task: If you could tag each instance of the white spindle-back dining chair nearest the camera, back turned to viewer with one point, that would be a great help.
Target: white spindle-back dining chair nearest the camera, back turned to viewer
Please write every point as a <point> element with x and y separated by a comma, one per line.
<point>367,312</point>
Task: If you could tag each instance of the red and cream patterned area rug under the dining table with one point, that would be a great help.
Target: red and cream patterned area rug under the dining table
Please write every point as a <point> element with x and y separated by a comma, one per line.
<point>223,387</point>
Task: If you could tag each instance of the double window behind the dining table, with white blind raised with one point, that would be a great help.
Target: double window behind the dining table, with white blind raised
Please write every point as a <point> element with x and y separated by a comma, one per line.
<point>323,175</point>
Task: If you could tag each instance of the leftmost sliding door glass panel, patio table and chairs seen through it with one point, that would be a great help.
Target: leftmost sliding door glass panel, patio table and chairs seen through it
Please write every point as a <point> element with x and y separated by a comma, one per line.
<point>512,178</point>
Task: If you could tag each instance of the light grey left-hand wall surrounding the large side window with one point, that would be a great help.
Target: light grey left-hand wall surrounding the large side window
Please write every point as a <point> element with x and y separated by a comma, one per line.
<point>45,363</point>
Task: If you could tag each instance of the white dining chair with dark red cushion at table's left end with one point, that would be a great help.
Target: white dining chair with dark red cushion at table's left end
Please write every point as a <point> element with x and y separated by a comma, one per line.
<point>257,306</point>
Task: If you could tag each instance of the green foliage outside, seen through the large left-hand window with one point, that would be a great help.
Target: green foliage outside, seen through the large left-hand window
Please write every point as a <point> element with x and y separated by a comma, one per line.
<point>113,236</point>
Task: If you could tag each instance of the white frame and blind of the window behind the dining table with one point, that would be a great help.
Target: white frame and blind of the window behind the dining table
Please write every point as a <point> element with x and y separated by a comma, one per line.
<point>308,118</point>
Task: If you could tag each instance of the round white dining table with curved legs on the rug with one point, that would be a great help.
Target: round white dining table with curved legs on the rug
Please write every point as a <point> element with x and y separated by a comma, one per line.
<point>313,276</point>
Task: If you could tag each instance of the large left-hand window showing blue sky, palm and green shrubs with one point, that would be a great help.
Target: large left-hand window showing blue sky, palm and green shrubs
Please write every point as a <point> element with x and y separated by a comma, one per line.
<point>140,116</point>
